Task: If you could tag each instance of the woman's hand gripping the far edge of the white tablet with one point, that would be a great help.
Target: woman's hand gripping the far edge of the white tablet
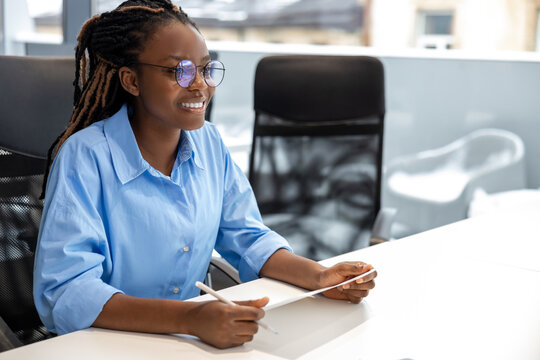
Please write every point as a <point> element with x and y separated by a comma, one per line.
<point>354,291</point>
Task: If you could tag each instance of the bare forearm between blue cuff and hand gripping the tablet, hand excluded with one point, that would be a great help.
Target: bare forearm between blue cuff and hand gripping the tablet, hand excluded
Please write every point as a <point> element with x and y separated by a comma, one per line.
<point>286,266</point>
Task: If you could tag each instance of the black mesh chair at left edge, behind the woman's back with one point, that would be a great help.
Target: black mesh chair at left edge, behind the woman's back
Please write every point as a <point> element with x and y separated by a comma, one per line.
<point>35,106</point>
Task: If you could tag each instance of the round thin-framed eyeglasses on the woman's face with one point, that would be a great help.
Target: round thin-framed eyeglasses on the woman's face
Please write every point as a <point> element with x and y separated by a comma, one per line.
<point>186,72</point>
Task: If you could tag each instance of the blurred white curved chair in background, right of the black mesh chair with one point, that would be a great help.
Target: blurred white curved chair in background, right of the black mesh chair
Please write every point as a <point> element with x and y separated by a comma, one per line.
<point>440,183</point>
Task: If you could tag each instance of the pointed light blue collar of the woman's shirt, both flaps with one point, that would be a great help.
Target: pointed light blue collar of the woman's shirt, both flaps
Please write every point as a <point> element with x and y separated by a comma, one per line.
<point>126,156</point>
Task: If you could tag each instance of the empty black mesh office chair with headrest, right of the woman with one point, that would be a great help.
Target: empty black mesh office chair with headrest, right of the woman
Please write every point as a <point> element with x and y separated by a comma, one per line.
<point>316,155</point>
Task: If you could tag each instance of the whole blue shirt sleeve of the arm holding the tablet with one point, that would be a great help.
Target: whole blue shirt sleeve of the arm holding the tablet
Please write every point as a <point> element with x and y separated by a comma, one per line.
<point>243,240</point>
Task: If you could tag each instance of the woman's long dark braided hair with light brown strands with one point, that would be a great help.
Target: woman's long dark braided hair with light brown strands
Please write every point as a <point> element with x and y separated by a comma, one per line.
<point>106,43</point>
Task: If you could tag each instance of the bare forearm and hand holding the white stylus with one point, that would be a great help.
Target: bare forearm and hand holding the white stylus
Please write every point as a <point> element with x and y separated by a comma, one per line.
<point>213,322</point>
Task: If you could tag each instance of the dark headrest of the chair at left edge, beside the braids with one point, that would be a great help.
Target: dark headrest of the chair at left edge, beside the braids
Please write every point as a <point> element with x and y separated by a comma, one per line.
<point>36,102</point>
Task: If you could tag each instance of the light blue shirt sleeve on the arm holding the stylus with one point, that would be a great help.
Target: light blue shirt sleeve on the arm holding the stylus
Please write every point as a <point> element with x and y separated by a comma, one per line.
<point>72,249</point>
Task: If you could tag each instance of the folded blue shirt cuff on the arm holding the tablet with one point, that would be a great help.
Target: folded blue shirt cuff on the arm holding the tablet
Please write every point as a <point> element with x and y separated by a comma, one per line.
<point>258,253</point>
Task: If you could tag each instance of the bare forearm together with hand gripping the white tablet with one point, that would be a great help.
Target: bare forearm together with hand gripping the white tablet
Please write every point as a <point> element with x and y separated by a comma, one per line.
<point>285,266</point>
